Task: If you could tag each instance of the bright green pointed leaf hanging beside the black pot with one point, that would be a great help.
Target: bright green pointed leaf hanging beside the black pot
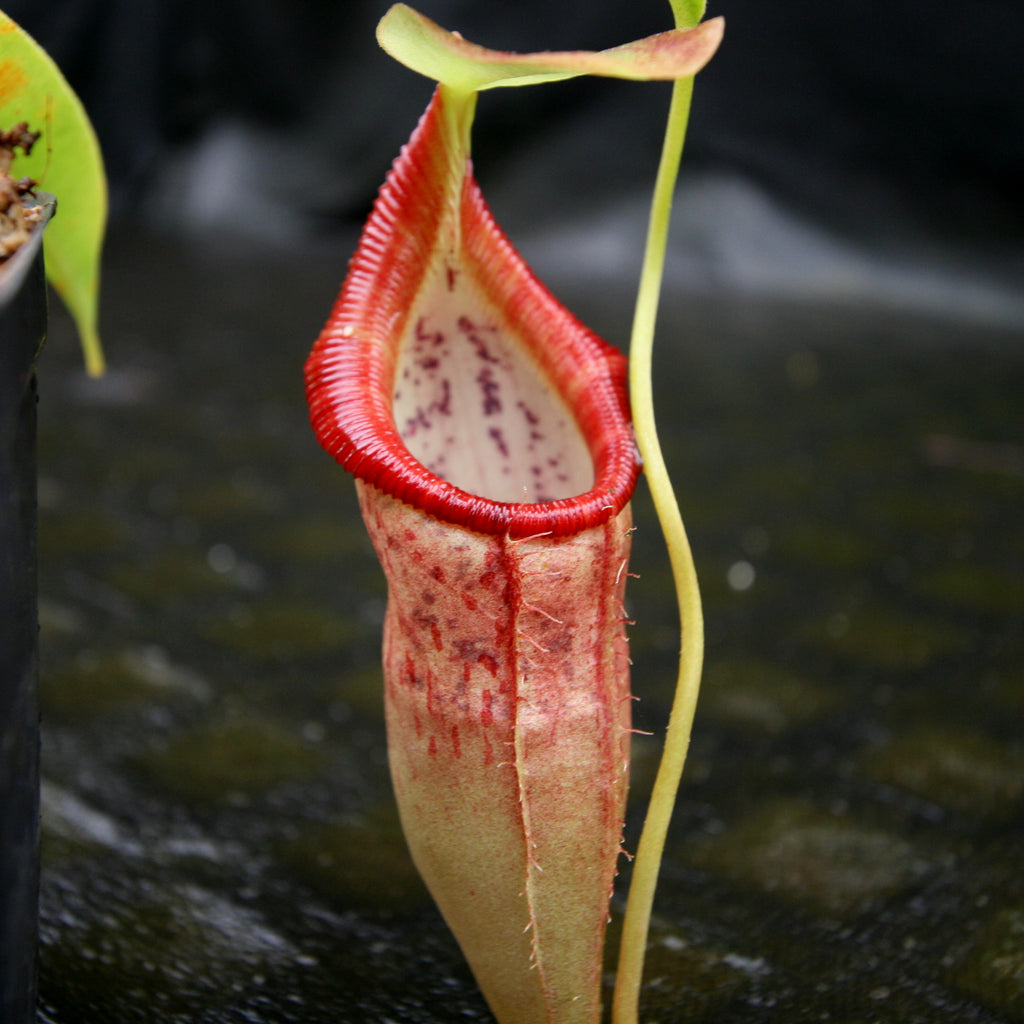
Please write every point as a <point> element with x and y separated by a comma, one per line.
<point>66,162</point>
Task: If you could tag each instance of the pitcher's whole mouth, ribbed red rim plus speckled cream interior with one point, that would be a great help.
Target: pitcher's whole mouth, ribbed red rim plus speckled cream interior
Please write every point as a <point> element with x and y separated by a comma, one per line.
<point>450,378</point>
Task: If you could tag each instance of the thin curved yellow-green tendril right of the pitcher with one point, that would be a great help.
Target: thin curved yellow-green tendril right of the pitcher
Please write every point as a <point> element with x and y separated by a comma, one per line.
<point>649,859</point>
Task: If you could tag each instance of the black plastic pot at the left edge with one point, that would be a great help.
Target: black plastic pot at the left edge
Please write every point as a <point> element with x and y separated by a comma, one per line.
<point>23,329</point>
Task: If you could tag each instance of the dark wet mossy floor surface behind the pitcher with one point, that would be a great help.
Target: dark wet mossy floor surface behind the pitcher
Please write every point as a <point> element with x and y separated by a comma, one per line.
<point>220,841</point>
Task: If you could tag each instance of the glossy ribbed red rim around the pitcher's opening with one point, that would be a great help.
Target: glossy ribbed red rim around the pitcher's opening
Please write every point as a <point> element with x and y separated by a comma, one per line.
<point>431,219</point>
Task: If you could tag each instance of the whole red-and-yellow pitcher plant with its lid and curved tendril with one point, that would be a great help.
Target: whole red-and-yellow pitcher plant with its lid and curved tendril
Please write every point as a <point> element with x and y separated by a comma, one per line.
<point>491,439</point>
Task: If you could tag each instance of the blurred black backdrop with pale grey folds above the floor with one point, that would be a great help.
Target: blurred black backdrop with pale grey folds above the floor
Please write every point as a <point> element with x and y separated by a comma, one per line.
<point>876,153</point>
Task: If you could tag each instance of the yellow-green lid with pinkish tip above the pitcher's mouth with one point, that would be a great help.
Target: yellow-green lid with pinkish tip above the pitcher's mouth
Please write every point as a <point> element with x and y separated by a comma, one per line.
<point>464,67</point>
